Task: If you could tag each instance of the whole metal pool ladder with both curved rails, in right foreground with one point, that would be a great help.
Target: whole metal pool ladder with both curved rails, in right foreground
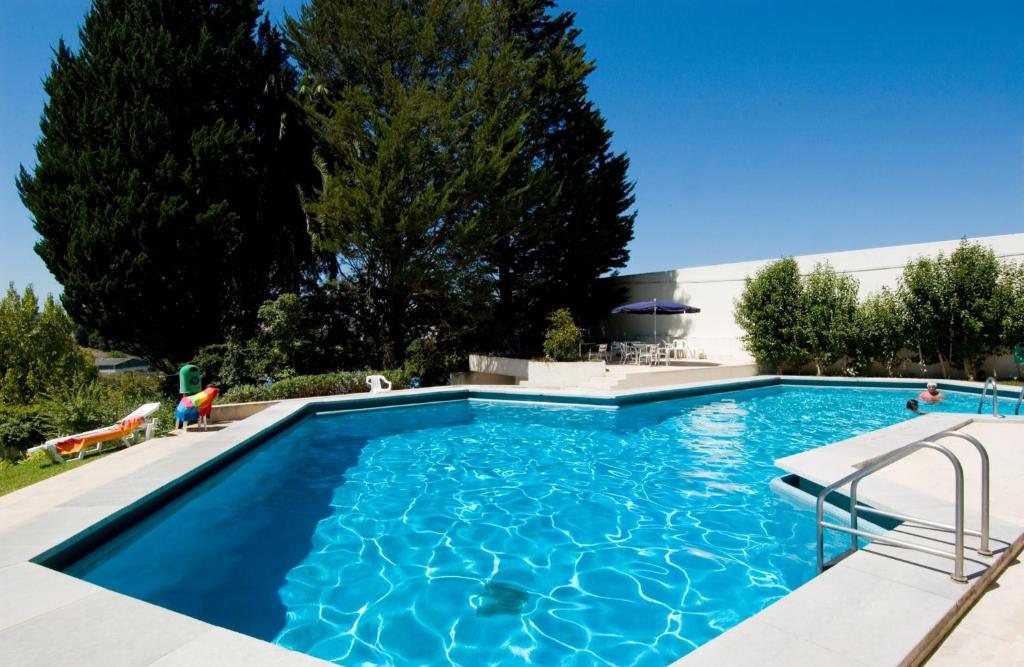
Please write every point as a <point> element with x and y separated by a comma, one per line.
<point>957,528</point>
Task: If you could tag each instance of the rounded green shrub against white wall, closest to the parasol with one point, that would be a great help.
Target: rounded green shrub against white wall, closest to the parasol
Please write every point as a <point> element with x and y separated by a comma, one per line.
<point>771,311</point>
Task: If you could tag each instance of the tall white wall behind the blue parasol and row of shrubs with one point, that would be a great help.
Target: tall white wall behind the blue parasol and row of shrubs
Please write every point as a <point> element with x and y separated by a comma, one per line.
<point>714,289</point>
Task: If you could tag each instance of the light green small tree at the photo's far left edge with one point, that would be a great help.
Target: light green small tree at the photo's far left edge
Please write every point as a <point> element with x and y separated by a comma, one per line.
<point>37,349</point>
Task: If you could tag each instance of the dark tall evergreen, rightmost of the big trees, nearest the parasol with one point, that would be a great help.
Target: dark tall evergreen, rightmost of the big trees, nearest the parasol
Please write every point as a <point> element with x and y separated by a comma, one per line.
<point>575,223</point>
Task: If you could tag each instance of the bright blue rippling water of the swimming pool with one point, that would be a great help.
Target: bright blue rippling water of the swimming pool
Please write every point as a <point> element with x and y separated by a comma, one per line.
<point>477,533</point>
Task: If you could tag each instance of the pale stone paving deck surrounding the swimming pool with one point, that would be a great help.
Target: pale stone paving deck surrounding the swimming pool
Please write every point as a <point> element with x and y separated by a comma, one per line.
<point>871,609</point>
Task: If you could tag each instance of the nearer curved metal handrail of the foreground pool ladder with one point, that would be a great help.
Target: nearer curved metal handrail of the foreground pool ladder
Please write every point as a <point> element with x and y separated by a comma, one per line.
<point>878,465</point>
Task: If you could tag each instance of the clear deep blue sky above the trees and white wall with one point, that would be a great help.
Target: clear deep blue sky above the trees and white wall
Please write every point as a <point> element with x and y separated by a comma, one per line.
<point>755,130</point>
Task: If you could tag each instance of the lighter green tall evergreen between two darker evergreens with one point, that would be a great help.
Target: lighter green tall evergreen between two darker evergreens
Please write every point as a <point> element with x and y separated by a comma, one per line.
<point>411,106</point>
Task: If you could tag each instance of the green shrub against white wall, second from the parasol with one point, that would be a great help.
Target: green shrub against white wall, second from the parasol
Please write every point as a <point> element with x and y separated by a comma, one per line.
<point>829,306</point>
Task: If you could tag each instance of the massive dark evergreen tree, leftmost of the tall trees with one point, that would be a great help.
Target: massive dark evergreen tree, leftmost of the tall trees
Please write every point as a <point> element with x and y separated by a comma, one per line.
<point>165,191</point>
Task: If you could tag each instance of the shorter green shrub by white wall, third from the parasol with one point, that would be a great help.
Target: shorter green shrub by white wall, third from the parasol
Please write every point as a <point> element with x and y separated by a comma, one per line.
<point>880,332</point>
